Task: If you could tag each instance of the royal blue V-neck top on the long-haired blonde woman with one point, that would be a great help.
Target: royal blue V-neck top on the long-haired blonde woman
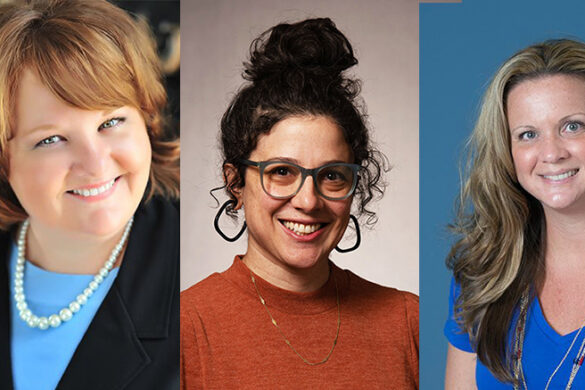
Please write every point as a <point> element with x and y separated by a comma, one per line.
<point>544,349</point>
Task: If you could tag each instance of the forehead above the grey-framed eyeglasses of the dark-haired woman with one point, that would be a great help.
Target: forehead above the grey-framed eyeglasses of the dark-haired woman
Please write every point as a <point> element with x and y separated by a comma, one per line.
<point>311,140</point>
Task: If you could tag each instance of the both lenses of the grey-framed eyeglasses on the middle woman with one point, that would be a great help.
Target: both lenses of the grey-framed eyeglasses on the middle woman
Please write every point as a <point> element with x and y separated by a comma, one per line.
<point>284,180</point>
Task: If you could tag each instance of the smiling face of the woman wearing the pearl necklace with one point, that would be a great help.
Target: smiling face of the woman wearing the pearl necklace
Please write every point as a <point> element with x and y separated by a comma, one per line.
<point>76,170</point>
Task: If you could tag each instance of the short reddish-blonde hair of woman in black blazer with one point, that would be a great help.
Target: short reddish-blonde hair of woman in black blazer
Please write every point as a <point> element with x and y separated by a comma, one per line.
<point>93,56</point>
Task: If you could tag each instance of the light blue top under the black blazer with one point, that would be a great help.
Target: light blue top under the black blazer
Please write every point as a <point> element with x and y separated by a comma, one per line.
<point>40,357</point>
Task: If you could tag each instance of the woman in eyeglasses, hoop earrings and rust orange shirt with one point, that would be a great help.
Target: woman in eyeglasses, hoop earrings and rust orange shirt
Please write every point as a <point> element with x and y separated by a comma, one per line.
<point>296,158</point>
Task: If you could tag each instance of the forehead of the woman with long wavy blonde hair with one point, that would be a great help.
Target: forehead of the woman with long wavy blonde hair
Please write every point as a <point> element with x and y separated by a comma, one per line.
<point>545,98</point>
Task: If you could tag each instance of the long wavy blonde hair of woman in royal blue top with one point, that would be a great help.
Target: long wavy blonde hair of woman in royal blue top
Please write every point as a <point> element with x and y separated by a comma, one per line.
<point>501,228</point>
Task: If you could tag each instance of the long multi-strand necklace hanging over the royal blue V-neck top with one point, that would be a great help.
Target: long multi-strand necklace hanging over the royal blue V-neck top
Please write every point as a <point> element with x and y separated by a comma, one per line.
<point>519,347</point>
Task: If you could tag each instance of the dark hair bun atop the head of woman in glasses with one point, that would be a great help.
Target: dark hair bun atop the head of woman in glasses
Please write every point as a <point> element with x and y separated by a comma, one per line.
<point>313,47</point>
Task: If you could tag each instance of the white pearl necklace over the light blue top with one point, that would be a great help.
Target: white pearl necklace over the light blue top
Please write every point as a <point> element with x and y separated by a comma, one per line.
<point>65,314</point>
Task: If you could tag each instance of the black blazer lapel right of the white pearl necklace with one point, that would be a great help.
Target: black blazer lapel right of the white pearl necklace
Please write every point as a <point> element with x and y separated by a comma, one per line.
<point>137,308</point>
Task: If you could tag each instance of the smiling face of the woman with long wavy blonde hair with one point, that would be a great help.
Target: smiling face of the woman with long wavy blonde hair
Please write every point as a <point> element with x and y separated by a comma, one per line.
<point>546,117</point>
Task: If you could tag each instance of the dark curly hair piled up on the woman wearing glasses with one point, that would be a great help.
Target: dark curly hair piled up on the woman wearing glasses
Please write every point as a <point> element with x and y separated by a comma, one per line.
<point>298,70</point>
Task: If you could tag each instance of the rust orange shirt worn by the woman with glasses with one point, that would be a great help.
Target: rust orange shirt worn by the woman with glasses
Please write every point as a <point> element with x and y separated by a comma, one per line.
<point>229,342</point>
